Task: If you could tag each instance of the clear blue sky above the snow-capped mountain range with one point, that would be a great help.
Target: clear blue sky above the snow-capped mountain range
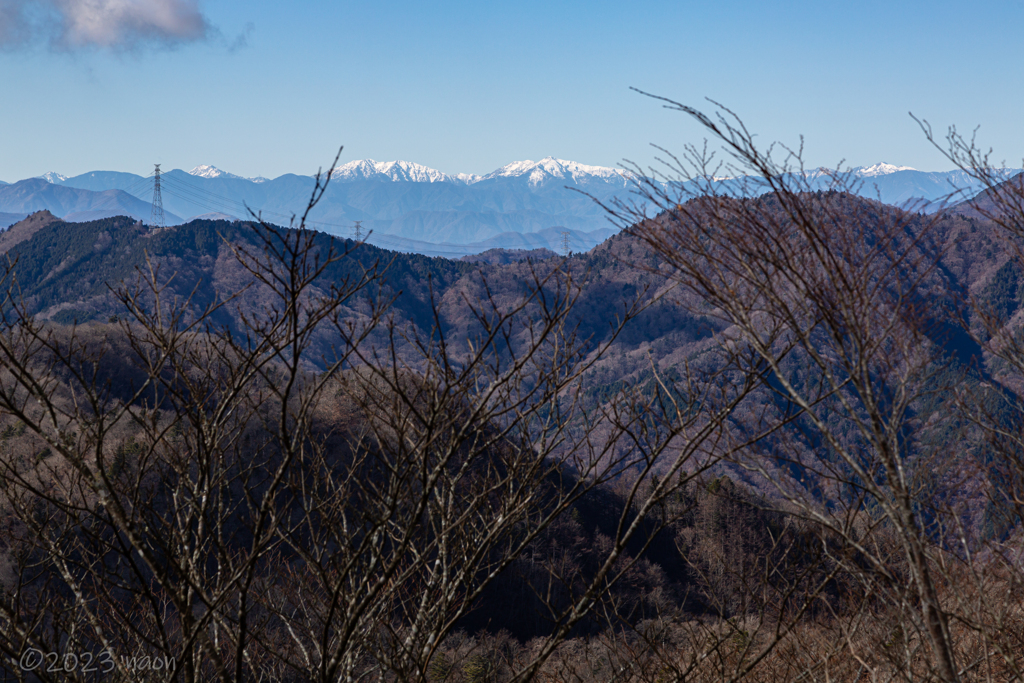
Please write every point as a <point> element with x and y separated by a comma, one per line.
<point>266,89</point>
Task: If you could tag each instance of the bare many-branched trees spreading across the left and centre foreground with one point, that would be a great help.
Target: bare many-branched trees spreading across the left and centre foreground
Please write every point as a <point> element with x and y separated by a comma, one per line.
<point>199,488</point>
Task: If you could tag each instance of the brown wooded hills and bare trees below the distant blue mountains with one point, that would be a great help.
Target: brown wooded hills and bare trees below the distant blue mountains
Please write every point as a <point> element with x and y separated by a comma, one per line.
<point>772,438</point>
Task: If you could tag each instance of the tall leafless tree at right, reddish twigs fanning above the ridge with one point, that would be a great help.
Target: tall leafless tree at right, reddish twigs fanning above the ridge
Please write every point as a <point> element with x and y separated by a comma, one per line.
<point>840,298</point>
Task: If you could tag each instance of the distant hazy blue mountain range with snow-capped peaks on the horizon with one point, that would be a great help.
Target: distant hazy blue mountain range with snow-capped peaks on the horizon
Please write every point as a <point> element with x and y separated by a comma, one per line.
<point>410,207</point>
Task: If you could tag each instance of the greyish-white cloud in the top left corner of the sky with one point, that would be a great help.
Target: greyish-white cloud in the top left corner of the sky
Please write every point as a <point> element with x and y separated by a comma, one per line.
<point>118,25</point>
